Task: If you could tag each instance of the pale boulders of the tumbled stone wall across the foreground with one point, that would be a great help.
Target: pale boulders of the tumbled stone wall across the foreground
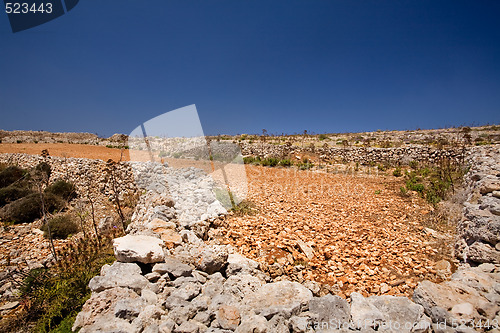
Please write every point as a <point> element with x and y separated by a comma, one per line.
<point>167,279</point>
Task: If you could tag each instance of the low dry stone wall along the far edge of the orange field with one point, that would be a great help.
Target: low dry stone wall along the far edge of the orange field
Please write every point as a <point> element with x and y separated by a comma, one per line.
<point>362,155</point>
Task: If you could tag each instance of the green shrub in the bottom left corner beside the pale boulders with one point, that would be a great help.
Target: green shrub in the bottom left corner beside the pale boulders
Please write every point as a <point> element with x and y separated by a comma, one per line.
<point>54,296</point>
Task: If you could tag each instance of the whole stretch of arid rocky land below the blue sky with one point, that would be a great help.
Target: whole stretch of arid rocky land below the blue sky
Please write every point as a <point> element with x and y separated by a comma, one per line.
<point>399,226</point>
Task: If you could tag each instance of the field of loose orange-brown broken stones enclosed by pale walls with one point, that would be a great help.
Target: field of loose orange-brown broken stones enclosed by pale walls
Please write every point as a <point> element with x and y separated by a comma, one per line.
<point>353,232</point>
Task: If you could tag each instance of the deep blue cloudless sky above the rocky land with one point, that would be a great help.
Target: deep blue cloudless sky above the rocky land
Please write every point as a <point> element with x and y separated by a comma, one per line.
<point>325,66</point>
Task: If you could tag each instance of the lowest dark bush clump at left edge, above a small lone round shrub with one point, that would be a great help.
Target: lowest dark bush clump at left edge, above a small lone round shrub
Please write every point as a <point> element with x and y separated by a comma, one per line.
<point>29,208</point>
